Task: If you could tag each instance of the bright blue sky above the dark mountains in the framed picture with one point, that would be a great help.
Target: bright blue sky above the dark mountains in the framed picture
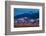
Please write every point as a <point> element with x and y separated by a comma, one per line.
<point>19,11</point>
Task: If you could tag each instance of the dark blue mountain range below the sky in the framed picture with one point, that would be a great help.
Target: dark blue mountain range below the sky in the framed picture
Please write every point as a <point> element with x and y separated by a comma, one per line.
<point>28,15</point>
